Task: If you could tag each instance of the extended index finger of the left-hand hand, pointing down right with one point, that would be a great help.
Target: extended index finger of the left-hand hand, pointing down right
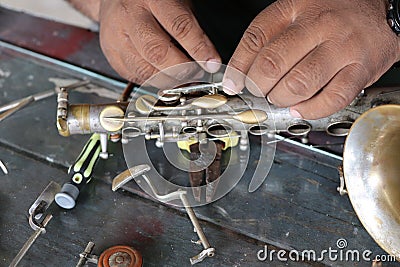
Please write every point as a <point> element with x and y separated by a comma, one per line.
<point>181,24</point>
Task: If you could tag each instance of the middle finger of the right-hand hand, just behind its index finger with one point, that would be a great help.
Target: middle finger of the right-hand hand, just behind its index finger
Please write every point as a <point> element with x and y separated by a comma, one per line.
<point>279,56</point>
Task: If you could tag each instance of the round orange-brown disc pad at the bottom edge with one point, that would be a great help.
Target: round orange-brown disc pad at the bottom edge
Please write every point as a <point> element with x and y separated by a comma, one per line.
<point>120,256</point>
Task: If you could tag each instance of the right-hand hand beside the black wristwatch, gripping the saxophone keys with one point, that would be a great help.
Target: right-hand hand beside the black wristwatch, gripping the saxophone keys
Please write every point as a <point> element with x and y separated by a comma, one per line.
<point>314,56</point>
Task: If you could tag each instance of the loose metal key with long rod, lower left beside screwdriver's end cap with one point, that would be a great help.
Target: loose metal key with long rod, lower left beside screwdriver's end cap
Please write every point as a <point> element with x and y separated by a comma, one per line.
<point>36,212</point>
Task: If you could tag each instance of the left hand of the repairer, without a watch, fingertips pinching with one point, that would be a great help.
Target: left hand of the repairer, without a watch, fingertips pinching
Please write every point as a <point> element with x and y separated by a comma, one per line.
<point>137,37</point>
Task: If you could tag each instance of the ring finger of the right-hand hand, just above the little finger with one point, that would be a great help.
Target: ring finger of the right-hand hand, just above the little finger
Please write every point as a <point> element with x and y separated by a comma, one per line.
<point>310,75</point>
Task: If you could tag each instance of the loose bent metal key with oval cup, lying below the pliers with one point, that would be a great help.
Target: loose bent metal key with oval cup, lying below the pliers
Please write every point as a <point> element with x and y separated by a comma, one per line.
<point>133,172</point>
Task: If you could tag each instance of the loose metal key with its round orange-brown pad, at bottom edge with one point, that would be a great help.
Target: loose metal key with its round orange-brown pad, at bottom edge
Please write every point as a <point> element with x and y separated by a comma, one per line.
<point>116,256</point>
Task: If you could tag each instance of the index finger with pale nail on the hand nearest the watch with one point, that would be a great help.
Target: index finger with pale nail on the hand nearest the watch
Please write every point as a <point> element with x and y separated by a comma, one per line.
<point>268,24</point>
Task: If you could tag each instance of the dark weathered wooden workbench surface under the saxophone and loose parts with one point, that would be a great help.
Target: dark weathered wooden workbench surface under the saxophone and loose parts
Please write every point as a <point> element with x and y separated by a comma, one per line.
<point>297,208</point>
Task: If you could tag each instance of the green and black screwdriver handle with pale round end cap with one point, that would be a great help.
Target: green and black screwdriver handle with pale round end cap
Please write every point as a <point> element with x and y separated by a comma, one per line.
<point>80,173</point>
